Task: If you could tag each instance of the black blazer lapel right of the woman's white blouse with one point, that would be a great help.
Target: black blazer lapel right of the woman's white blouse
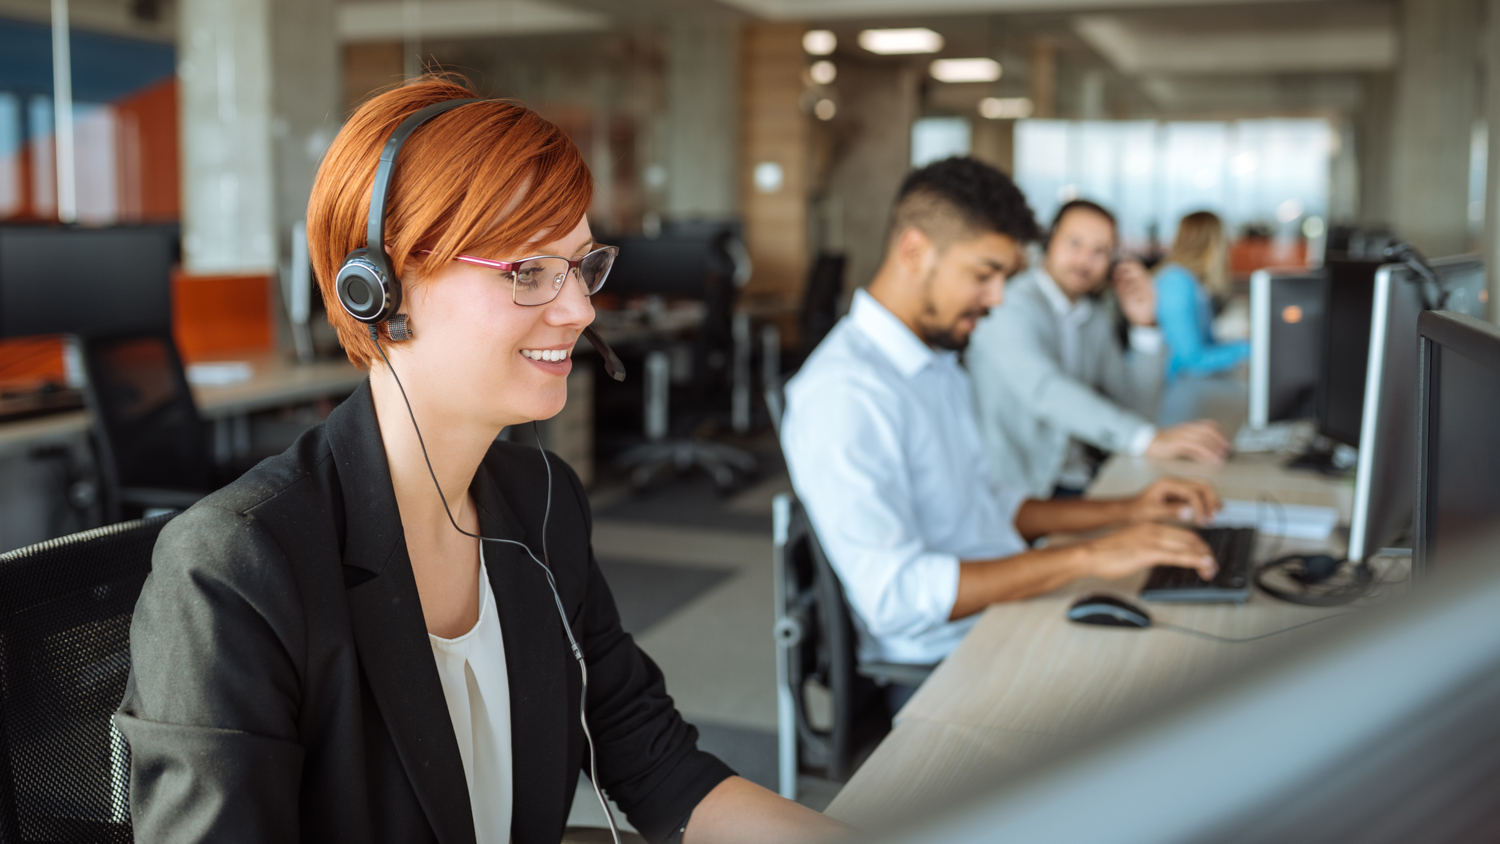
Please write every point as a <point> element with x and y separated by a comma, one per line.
<point>539,665</point>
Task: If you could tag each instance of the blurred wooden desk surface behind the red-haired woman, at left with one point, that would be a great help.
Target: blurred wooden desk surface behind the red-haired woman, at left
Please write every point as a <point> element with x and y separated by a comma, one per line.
<point>275,383</point>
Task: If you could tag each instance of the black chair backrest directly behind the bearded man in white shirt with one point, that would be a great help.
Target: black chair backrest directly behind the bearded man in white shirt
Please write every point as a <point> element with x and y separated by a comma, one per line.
<point>827,654</point>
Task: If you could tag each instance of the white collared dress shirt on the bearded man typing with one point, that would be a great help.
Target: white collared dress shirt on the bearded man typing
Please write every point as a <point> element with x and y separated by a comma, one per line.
<point>886,455</point>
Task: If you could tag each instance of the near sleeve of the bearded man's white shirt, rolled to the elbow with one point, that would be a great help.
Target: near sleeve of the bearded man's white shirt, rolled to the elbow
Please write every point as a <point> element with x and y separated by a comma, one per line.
<point>844,444</point>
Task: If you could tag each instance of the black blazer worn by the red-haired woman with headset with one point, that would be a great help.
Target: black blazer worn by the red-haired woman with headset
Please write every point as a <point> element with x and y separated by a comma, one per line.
<point>283,686</point>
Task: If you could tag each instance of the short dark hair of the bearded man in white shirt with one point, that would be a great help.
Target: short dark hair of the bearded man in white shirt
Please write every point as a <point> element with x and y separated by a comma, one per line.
<point>962,197</point>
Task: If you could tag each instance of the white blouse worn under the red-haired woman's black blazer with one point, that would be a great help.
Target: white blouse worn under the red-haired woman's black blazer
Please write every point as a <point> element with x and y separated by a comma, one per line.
<point>478,690</point>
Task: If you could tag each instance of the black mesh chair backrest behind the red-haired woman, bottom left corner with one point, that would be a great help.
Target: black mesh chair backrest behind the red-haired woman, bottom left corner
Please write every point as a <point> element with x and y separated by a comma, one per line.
<point>65,629</point>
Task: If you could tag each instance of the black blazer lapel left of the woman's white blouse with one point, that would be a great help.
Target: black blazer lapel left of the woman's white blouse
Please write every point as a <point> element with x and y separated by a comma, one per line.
<point>391,633</point>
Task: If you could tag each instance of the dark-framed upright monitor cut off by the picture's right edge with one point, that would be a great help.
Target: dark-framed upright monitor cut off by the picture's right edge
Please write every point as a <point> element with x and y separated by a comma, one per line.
<point>1459,447</point>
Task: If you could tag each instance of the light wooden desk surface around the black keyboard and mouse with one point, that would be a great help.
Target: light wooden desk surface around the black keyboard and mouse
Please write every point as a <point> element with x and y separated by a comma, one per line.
<point>1025,681</point>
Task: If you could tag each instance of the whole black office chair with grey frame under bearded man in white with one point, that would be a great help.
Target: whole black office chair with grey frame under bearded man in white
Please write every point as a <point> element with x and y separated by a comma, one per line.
<point>817,644</point>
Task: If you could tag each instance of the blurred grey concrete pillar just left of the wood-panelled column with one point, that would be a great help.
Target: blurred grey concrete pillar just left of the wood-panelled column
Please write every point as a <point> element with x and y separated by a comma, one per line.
<point>703,110</point>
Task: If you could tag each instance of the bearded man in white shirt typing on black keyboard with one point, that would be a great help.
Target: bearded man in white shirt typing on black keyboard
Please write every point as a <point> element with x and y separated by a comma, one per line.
<point>887,458</point>
